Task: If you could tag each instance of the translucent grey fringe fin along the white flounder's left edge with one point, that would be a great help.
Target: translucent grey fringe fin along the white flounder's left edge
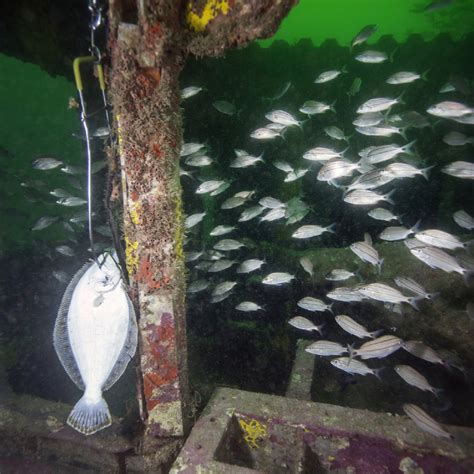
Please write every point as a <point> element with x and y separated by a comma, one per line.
<point>61,341</point>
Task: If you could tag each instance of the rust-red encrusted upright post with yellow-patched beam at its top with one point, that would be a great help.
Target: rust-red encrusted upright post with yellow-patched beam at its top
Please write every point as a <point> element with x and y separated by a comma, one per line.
<point>149,41</point>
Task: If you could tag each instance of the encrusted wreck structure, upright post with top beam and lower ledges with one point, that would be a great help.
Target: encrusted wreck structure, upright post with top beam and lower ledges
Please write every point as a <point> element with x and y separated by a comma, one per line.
<point>149,42</point>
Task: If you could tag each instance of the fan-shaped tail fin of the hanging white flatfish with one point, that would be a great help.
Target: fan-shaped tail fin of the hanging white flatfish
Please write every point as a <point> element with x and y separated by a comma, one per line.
<point>89,417</point>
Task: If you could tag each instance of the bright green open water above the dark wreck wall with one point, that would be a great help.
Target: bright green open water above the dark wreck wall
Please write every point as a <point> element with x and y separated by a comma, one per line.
<point>320,20</point>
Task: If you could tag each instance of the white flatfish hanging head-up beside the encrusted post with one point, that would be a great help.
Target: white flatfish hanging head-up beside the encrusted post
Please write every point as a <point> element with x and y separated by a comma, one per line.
<point>95,336</point>
